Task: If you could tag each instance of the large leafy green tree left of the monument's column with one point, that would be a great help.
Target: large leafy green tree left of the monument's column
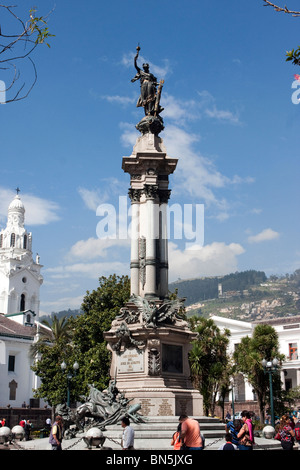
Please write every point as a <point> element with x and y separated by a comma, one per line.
<point>80,339</point>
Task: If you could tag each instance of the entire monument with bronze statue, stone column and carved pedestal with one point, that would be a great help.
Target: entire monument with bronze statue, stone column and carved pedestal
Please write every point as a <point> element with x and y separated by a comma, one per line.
<point>150,339</point>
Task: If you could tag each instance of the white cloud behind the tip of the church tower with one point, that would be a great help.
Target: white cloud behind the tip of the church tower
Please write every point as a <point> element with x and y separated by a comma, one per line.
<point>38,211</point>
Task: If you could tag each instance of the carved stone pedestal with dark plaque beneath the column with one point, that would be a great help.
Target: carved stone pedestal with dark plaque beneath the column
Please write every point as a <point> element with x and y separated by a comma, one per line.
<point>151,366</point>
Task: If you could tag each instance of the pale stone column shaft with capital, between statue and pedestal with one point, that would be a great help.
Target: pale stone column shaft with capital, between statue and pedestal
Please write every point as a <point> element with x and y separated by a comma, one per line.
<point>149,168</point>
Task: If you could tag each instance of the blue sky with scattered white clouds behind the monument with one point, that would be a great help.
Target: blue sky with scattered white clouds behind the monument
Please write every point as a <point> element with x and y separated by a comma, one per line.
<point>229,119</point>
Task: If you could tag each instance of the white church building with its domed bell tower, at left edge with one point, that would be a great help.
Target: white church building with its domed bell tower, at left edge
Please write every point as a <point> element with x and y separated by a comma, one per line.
<point>20,281</point>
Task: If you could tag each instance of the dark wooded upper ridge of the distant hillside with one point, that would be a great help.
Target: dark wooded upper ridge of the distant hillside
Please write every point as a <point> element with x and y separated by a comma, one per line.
<point>196,290</point>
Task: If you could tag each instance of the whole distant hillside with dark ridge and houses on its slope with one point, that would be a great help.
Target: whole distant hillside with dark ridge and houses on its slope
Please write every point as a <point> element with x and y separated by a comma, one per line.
<point>247,296</point>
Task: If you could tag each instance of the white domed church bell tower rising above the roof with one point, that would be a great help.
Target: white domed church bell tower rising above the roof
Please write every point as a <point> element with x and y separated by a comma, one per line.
<point>20,277</point>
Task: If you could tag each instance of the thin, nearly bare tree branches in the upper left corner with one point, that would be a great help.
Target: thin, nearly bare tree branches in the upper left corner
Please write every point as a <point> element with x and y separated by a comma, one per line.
<point>19,46</point>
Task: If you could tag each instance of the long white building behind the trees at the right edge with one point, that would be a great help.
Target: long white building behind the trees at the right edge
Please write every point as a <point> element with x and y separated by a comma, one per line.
<point>288,330</point>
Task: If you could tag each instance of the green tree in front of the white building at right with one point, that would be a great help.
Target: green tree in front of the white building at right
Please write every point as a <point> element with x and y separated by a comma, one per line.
<point>248,358</point>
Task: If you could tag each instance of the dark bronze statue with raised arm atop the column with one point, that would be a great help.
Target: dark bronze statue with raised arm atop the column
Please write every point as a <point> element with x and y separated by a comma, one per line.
<point>149,99</point>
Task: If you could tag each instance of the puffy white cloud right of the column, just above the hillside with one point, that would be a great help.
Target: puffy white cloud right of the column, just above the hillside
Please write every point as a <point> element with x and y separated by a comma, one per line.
<point>210,260</point>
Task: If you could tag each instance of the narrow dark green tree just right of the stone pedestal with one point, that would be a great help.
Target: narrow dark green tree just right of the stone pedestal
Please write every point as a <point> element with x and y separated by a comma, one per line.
<point>209,360</point>
